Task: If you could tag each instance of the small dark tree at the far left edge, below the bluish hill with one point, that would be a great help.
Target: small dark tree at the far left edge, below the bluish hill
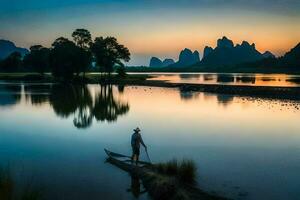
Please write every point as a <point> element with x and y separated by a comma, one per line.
<point>12,63</point>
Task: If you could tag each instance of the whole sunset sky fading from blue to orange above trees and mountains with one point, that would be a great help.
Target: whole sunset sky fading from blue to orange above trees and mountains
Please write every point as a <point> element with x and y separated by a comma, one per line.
<point>152,27</point>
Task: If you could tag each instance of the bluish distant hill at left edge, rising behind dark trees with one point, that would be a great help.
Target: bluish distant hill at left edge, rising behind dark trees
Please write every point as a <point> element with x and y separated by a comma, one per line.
<point>8,47</point>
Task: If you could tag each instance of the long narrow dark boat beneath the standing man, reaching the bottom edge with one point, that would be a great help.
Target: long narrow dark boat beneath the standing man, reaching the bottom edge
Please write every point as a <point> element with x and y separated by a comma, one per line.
<point>158,186</point>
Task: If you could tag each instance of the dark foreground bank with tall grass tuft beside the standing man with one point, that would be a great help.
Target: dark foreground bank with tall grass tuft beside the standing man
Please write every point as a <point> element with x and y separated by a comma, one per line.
<point>173,180</point>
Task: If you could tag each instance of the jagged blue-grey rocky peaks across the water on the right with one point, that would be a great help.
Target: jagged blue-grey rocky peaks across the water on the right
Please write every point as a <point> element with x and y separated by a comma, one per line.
<point>225,53</point>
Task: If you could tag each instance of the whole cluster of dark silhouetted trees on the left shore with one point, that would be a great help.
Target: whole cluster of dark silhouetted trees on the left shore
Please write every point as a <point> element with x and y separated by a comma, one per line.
<point>67,58</point>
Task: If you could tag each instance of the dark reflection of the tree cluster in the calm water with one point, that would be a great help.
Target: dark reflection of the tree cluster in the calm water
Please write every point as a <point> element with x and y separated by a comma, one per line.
<point>77,100</point>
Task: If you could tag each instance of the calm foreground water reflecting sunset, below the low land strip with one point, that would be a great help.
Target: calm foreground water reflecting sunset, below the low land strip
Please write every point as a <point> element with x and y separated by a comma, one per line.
<point>53,136</point>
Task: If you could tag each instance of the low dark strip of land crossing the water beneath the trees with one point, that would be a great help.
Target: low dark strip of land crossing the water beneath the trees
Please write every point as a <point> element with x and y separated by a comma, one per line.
<point>273,92</point>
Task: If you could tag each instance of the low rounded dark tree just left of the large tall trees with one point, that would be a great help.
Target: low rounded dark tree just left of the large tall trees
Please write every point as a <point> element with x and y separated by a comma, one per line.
<point>38,59</point>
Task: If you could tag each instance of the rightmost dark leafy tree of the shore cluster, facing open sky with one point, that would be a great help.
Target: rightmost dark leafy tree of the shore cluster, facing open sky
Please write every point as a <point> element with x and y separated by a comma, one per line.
<point>108,53</point>
